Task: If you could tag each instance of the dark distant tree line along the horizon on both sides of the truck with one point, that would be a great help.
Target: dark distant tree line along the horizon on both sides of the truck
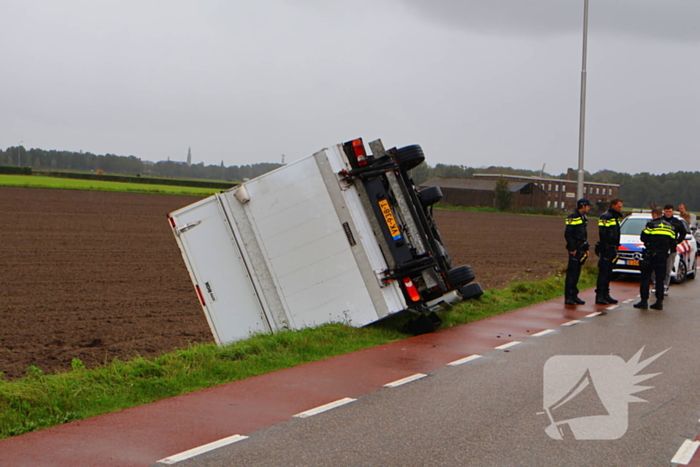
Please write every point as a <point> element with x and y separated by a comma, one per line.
<point>638,190</point>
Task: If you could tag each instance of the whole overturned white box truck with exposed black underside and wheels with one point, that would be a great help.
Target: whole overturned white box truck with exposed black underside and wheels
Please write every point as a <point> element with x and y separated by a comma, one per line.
<point>339,236</point>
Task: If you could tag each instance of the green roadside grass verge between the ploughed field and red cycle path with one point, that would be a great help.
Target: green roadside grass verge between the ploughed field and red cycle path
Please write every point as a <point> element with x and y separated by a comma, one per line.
<point>41,401</point>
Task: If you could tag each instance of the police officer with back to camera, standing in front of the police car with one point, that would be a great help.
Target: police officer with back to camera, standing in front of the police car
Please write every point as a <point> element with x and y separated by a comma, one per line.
<point>659,239</point>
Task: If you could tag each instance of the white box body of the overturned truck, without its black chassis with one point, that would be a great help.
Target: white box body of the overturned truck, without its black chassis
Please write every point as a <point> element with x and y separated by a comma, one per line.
<point>292,248</point>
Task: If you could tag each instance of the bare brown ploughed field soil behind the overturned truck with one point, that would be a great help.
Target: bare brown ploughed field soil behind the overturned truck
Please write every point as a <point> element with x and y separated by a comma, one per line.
<point>98,275</point>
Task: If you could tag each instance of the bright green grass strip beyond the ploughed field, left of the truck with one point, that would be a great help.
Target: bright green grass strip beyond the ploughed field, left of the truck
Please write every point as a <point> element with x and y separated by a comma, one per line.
<point>37,181</point>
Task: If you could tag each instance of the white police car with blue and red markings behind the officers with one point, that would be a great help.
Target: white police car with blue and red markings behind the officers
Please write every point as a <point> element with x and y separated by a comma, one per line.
<point>631,246</point>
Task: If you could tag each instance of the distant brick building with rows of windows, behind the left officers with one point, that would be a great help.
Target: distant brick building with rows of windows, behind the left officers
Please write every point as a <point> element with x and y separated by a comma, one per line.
<point>561,194</point>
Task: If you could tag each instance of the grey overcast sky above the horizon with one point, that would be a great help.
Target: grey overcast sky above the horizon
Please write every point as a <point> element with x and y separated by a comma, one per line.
<point>475,82</point>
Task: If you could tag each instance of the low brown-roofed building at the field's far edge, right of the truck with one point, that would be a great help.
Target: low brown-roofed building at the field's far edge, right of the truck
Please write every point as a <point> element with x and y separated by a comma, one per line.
<point>471,192</point>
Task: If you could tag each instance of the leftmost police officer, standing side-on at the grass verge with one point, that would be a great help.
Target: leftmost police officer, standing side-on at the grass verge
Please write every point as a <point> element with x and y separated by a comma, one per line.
<point>576,237</point>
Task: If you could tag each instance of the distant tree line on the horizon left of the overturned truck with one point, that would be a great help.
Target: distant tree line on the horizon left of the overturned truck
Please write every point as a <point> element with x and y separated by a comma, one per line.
<point>40,159</point>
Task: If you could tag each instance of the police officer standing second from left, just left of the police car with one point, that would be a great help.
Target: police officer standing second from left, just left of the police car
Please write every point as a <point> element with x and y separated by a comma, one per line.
<point>609,231</point>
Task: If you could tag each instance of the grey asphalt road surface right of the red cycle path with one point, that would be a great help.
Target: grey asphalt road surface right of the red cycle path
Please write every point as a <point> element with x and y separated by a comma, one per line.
<point>490,411</point>
